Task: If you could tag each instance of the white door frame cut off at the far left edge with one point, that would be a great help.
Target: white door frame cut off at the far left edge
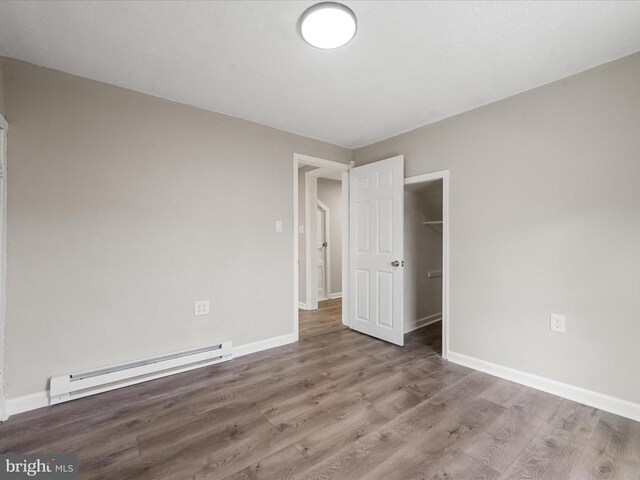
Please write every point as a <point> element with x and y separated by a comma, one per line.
<point>4,126</point>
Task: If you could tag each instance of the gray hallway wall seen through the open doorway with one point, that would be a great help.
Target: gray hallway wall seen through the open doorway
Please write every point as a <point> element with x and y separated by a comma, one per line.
<point>330,193</point>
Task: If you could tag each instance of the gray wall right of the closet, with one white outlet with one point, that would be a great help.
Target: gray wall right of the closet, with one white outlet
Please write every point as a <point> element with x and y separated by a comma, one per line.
<point>545,217</point>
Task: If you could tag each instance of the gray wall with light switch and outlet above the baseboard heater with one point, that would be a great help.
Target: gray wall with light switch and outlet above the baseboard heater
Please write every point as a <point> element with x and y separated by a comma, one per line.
<point>123,209</point>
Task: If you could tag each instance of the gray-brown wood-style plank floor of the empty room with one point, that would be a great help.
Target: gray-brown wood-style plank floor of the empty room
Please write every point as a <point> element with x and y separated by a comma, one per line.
<point>336,405</point>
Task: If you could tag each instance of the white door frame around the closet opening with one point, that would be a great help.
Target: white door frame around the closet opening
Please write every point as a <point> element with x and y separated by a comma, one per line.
<point>446,277</point>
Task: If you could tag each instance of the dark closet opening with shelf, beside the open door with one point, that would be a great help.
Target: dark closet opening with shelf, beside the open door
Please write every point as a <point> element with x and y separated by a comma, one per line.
<point>424,249</point>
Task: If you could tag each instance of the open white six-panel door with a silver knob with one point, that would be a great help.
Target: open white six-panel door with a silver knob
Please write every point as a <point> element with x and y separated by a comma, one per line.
<point>376,208</point>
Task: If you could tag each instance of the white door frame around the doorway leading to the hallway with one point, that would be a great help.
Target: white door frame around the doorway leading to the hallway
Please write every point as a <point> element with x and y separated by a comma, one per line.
<point>300,159</point>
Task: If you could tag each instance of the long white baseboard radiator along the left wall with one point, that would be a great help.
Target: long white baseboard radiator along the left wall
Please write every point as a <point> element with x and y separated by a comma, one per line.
<point>70,386</point>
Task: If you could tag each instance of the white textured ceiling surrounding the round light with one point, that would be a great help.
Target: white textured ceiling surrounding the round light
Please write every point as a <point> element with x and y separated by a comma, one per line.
<point>411,63</point>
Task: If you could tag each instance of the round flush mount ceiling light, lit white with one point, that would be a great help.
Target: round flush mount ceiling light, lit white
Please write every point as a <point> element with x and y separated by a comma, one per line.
<point>328,25</point>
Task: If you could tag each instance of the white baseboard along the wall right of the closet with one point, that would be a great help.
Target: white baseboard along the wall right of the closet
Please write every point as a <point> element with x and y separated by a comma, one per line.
<point>601,401</point>
